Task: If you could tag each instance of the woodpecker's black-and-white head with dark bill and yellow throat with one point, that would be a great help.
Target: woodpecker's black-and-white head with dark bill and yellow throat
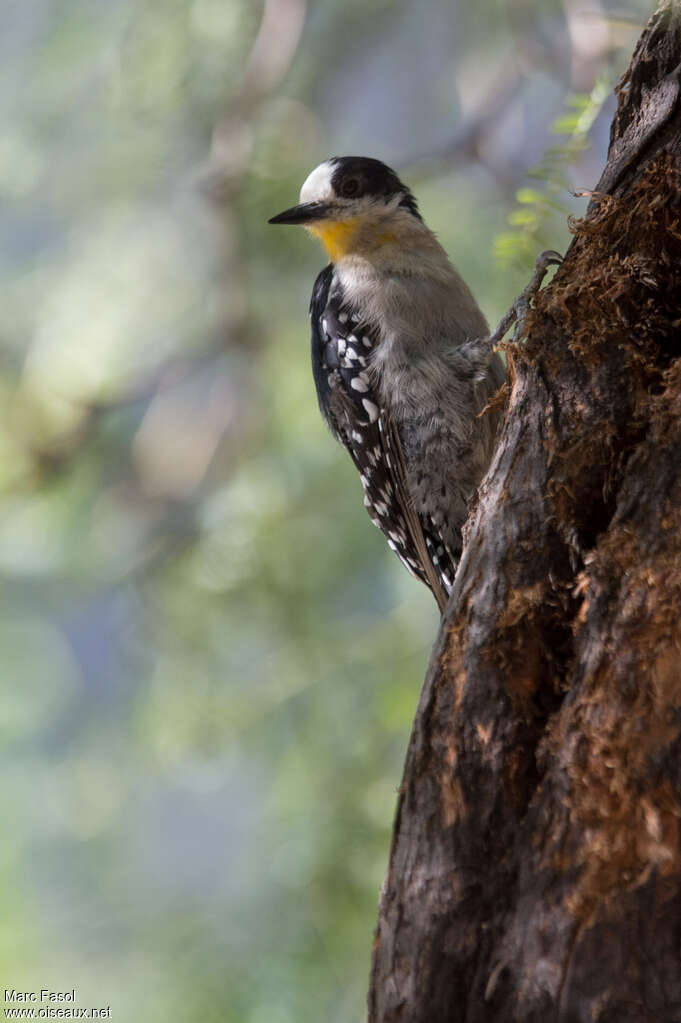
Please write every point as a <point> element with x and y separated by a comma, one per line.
<point>352,201</point>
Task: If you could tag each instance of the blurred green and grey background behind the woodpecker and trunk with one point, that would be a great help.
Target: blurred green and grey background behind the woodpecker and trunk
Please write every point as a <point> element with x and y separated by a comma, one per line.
<point>210,659</point>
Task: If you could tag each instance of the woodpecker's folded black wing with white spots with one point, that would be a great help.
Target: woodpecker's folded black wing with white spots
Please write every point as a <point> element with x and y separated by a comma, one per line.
<point>342,349</point>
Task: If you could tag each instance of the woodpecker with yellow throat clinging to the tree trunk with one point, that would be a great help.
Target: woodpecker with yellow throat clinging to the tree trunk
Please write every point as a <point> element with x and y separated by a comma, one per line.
<point>401,362</point>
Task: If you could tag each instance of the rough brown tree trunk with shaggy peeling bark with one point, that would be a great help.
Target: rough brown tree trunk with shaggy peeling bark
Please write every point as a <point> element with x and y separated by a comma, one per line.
<point>535,872</point>
